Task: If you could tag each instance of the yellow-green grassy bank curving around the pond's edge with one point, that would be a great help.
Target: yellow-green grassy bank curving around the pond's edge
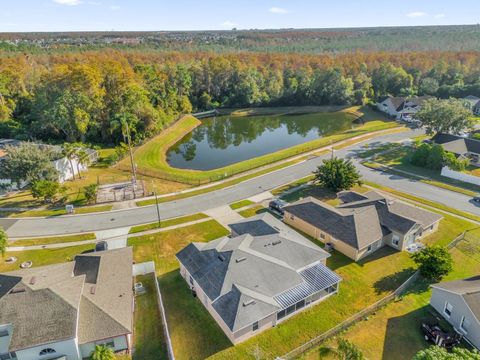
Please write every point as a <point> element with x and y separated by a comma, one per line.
<point>151,157</point>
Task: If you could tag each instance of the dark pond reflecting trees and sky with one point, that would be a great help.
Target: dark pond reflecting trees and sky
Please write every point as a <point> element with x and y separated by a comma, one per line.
<point>224,140</point>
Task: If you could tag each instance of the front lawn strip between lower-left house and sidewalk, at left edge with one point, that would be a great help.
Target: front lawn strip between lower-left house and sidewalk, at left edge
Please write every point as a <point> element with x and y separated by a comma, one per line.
<point>43,257</point>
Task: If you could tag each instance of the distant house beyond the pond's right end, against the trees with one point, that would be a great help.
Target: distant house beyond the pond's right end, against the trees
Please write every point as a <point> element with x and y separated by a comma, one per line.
<point>401,108</point>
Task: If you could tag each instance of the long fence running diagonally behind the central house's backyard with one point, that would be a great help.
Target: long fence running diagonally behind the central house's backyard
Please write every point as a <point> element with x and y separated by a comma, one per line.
<point>352,320</point>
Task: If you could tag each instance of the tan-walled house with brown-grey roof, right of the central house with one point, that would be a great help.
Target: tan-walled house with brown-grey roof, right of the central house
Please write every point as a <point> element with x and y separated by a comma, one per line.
<point>363,223</point>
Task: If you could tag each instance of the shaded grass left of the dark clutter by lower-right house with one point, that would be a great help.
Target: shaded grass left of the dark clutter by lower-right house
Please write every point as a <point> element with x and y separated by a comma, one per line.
<point>403,336</point>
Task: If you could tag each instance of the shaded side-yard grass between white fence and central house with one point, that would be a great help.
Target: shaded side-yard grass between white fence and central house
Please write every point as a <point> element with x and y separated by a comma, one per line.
<point>194,332</point>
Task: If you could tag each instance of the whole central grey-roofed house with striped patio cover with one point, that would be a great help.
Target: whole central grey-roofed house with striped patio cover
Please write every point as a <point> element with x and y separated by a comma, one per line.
<point>257,277</point>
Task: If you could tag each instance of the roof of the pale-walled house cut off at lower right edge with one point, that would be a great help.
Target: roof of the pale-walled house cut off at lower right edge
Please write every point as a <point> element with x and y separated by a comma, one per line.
<point>468,289</point>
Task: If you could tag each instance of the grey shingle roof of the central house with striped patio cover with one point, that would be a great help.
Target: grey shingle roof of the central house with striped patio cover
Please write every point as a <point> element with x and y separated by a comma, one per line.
<point>242,275</point>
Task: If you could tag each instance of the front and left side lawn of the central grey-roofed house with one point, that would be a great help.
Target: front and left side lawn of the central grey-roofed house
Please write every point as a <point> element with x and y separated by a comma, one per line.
<point>193,332</point>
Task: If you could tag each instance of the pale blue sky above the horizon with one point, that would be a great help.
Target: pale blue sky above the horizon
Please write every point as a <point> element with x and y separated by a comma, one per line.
<point>103,15</point>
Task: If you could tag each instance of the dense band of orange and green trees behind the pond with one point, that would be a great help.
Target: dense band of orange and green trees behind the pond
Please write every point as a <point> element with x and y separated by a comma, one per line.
<point>85,96</point>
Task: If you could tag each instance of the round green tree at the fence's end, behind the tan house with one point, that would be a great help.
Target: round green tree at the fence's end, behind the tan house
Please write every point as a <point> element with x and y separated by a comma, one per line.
<point>434,262</point>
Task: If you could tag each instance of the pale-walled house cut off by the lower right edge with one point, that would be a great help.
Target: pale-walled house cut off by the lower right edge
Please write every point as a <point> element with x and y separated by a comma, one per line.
<point>459,303</point>
